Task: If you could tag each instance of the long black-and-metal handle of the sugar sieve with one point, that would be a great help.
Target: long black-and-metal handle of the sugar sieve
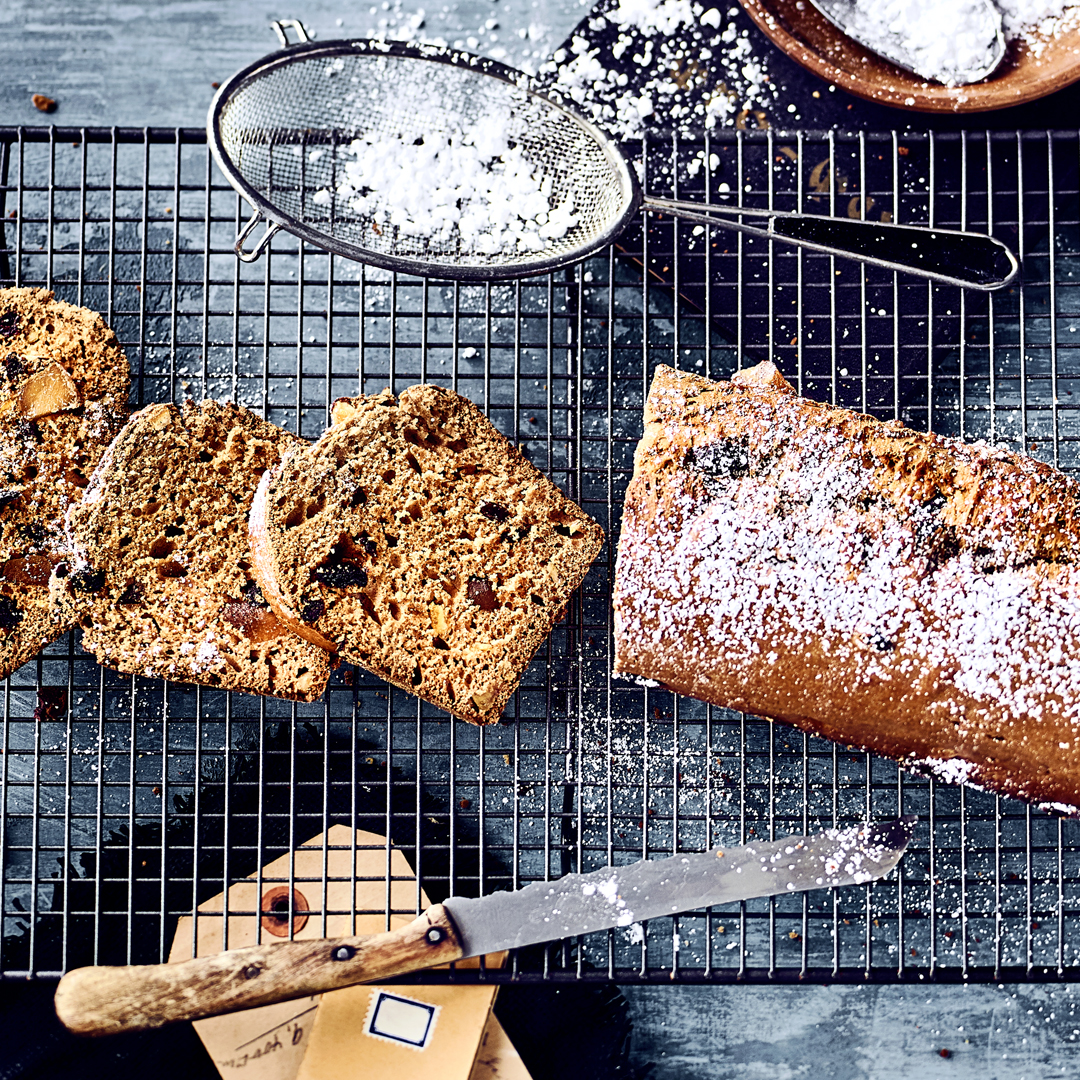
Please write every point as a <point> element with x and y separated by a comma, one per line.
<point>970,260</point>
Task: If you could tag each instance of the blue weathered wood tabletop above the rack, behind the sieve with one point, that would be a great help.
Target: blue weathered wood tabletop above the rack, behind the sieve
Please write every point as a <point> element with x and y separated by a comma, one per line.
<point>137,64</point>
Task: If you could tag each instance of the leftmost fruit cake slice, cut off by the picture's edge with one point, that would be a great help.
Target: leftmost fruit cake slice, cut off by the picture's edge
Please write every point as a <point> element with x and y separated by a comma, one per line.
<point>64,384</point>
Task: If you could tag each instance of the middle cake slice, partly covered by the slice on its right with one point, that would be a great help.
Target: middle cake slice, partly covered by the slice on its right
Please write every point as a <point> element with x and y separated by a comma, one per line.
<point>161,575</point>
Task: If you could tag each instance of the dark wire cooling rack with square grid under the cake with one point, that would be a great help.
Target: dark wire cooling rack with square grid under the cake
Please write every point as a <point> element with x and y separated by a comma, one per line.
<point>126,803</point>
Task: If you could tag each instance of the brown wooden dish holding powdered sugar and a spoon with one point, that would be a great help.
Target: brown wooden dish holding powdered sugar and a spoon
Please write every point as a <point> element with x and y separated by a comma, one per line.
<point>802,32</point>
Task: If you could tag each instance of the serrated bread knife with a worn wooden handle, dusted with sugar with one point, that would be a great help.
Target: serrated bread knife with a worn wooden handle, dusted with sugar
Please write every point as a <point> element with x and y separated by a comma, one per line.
<point>109,1001</point>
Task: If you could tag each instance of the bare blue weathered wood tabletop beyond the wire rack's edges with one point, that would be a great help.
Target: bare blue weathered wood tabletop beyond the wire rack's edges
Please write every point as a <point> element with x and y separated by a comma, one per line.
<point>153,64</point>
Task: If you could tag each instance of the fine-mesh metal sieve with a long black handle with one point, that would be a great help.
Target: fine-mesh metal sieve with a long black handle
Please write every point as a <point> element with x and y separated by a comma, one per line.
<point>281,132</point>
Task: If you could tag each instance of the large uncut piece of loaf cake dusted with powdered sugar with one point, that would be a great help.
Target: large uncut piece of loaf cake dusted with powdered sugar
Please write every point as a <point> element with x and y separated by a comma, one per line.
<point>895,591</point>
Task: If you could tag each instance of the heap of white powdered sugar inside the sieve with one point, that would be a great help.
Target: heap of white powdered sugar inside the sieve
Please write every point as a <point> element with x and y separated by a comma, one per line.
<point>475,193</point>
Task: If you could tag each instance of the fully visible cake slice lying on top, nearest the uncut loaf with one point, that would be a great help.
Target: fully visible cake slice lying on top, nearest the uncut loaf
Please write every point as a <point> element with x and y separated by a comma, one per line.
<point>417,543</point>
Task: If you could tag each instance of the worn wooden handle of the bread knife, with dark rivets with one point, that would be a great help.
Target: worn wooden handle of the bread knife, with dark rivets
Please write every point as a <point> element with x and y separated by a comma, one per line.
<point>107,1001</point>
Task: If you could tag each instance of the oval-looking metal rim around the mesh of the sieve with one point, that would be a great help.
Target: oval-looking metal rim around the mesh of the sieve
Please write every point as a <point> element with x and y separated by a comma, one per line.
<point>439,55</point>
